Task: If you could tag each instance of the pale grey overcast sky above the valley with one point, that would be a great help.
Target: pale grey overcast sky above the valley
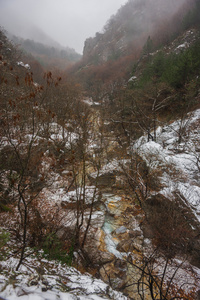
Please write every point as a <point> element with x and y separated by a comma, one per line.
<point>69,22</point>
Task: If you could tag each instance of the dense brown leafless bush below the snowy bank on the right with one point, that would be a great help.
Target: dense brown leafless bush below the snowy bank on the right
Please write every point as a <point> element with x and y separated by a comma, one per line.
<point>171,229</point>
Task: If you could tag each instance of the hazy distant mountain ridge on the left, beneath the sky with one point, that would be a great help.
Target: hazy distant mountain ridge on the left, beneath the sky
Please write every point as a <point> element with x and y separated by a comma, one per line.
<point>33,40</point>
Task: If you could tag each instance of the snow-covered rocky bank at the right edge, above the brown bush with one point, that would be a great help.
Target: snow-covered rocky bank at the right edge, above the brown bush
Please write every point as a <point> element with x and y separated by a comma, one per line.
<point>179,161</point>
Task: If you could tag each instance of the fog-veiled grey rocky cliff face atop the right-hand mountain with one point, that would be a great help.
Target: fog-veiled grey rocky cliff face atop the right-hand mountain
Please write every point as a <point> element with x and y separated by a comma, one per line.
<point>127,31</point>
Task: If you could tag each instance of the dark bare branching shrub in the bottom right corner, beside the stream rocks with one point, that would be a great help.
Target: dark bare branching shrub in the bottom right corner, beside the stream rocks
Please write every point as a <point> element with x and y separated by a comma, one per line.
<point>157,277</point>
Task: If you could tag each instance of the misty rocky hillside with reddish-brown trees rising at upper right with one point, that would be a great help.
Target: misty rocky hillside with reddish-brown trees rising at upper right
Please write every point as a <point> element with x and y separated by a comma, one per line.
<point>138,28</point>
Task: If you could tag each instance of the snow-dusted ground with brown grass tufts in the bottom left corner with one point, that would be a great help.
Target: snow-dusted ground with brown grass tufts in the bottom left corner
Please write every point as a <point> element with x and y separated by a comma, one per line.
<point>67,284</point>
